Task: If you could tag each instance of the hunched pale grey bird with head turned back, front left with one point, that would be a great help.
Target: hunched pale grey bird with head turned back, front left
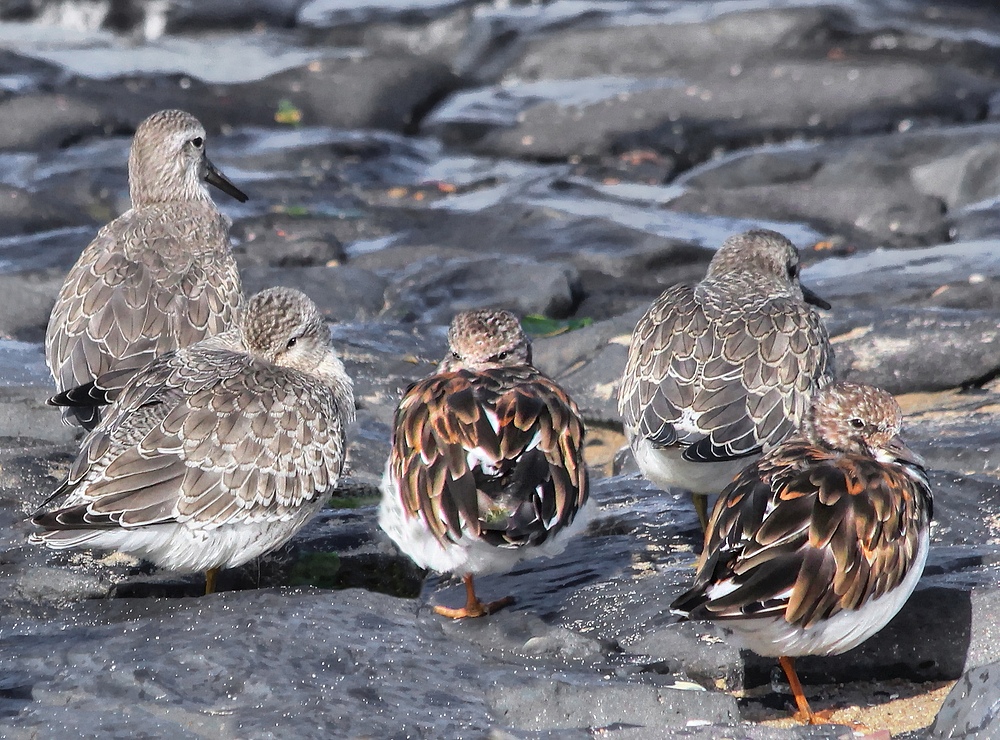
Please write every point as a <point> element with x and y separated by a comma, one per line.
<point>216,453</point>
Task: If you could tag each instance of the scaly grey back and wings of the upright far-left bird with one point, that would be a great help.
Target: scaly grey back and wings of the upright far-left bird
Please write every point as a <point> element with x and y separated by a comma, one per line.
<point>148,283</point>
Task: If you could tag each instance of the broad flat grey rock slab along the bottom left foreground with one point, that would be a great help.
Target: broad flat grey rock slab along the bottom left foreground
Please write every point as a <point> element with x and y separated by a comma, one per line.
<point>309,664</point>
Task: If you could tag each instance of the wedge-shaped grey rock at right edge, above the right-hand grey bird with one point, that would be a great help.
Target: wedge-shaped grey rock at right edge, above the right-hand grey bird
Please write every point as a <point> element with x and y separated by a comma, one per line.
<point>914,188</point>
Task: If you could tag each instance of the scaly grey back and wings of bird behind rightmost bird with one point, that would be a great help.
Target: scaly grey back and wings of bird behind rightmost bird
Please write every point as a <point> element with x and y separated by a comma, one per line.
<point>727,387</point>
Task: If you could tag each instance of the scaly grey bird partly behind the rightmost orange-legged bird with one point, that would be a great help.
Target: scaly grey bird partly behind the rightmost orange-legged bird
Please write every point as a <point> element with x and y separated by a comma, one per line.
<point>719,371</point>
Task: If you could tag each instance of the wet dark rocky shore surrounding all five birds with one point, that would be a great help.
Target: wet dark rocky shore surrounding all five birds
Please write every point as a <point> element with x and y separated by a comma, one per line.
<point>407,160</point>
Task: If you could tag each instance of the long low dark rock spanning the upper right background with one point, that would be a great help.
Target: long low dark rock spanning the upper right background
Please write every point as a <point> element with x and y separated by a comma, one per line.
<point>691,117</point>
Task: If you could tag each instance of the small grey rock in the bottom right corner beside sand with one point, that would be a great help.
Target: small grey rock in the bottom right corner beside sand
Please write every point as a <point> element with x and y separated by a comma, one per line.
<point>972,709</point>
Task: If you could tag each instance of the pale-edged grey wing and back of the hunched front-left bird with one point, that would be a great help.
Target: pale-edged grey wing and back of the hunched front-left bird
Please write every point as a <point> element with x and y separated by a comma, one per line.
<point>167,453</point>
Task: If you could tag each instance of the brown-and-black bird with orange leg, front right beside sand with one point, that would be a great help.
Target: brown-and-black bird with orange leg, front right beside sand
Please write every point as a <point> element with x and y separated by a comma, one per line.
<point>817,545</point>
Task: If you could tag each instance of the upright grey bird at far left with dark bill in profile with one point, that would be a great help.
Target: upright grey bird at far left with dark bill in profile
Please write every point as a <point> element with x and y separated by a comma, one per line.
<point>158,277</point>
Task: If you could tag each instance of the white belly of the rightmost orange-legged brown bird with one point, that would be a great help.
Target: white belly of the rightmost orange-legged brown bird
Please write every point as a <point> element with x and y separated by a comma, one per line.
<point>774,637</point>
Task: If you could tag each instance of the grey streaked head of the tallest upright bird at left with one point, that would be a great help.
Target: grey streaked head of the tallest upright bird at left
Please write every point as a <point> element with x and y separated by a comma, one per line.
<point>166,161</point>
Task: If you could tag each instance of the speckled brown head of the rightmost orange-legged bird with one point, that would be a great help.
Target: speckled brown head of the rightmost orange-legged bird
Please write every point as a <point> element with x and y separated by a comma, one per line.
<point>850,417</point>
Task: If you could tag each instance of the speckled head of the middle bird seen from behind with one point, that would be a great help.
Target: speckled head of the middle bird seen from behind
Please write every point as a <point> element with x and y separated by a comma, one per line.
<point>485,338</point>
